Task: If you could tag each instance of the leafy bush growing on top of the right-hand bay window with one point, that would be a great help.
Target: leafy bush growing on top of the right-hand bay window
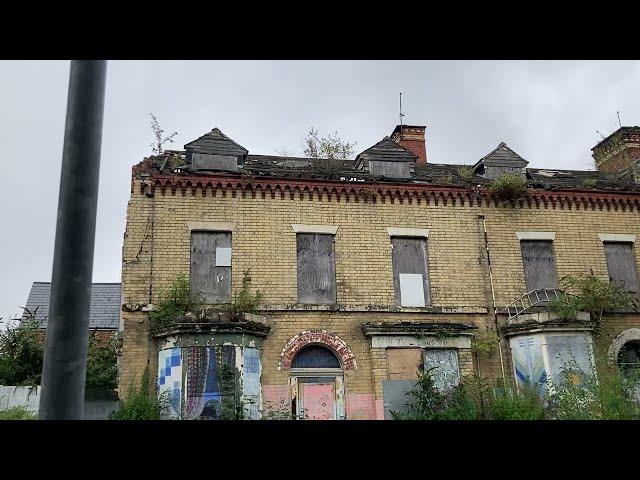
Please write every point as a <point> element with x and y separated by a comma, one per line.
<point>590,293</point>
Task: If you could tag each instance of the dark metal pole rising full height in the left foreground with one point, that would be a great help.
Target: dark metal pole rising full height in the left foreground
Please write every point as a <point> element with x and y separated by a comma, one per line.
<point>65,357</point>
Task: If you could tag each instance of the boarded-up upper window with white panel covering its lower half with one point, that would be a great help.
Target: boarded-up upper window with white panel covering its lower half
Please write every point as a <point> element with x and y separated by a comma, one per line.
<point>410,272</point>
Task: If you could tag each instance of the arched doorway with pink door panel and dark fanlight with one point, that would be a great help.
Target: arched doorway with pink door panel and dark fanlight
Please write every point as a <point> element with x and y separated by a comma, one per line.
<point>317,384</point>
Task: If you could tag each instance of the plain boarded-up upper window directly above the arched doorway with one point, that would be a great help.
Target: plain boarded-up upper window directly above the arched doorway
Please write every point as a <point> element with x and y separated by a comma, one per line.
<point>316,269</point>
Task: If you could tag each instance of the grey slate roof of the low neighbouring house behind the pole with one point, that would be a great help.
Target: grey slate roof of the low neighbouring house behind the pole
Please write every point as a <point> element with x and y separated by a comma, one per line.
<point>105,304</point>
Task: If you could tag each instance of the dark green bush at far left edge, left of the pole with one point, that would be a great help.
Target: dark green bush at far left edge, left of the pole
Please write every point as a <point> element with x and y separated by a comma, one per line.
<point>21,353</point>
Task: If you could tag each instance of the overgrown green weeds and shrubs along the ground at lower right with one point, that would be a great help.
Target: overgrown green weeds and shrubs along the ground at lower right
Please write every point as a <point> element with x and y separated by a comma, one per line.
<point>602,392</point>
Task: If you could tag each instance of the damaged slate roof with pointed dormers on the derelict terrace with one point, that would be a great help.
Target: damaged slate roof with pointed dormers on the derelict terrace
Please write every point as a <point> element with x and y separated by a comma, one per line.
<point>387,150</point>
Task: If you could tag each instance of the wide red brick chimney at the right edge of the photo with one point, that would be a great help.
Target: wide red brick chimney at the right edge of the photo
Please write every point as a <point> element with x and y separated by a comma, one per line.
<point>618,152</point>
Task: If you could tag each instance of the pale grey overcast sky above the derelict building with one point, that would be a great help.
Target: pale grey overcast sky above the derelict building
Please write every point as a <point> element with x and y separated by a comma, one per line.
<point>547,111</point>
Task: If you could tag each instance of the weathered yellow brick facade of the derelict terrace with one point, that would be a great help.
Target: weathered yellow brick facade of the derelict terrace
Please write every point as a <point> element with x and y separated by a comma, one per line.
<point>157,250</point>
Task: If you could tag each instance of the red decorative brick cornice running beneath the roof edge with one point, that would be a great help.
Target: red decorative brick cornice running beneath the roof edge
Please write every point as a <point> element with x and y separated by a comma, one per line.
<point>367,192</point>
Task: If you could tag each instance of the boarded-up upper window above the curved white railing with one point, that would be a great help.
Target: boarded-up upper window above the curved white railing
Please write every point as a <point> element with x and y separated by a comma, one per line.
<point>539,264</point>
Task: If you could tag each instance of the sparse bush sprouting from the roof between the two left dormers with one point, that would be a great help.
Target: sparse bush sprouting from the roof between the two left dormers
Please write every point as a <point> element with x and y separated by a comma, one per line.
<point>327,153</point>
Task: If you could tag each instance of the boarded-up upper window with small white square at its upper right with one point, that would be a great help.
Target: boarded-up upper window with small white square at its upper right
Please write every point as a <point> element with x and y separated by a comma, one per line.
<point>211,266</point>
